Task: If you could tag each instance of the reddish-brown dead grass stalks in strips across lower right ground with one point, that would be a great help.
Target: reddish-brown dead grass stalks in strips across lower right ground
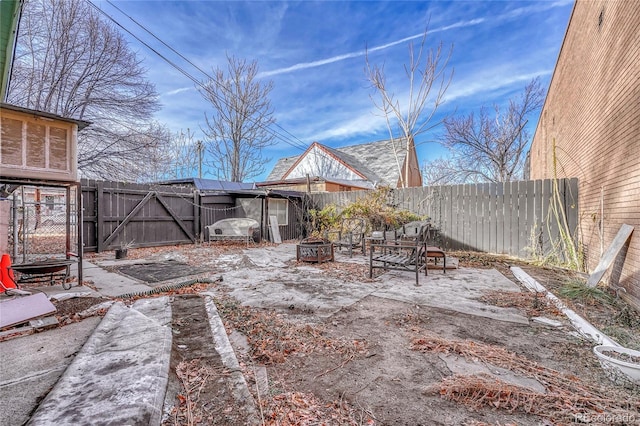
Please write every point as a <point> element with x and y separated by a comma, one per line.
<point>566,397</point>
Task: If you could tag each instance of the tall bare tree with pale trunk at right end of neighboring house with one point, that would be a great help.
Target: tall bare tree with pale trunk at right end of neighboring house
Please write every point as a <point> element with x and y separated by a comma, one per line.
<point>410,115</point>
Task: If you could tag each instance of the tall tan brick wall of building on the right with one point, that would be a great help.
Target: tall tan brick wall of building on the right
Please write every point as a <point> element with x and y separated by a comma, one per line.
<point>592,115</point>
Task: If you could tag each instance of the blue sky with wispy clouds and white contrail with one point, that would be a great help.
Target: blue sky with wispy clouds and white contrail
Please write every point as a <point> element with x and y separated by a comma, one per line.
<point>314,54</point>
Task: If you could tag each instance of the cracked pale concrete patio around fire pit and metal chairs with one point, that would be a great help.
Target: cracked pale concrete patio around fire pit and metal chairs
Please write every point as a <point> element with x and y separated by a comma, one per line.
<point>284,284</point>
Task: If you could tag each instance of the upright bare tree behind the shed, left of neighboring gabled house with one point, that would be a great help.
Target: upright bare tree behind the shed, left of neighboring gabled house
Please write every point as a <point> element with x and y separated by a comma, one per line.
<point>238,128</point>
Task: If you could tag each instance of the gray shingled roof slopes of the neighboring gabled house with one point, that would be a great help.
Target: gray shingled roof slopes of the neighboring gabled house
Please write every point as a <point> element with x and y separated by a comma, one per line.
<point>375,160</point>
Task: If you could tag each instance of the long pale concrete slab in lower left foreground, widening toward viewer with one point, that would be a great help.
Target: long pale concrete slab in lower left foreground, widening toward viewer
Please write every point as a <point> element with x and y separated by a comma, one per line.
<point>121,373</point>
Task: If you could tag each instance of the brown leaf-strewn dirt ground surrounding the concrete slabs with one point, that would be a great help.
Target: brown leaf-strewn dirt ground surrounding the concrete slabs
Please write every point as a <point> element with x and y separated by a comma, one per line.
<point>386,362</point>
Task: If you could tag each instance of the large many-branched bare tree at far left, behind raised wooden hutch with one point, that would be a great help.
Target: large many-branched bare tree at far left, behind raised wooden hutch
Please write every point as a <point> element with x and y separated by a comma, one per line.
<point>71,63</point>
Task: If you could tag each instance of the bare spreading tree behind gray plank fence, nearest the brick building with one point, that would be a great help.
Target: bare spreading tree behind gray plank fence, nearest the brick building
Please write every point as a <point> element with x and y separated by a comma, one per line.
<point>491,147</point>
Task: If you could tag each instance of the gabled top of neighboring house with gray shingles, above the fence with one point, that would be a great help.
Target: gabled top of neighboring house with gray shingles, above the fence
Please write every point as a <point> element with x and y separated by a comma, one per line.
<point>374,162</point>
